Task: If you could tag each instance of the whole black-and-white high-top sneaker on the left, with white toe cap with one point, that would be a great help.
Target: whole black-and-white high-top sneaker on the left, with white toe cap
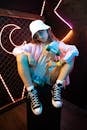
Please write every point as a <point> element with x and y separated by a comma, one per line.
<point>36,106</point>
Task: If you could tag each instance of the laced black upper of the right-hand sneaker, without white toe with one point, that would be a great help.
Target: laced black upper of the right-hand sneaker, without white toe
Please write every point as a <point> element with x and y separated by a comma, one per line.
<point>57,92</point>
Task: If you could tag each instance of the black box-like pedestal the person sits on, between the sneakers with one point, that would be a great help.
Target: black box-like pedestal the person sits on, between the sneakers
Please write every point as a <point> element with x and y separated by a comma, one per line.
<point>50,117</point>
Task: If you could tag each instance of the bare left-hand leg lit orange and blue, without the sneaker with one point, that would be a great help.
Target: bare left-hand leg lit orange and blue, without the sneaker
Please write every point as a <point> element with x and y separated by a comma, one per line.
<point>24,70</point>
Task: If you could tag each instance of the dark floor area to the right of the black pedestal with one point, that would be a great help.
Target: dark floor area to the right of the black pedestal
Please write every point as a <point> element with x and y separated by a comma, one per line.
<point>73,118</point>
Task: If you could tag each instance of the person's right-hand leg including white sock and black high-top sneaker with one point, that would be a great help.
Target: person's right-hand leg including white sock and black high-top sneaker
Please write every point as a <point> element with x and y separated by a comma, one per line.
<point>61,75</point>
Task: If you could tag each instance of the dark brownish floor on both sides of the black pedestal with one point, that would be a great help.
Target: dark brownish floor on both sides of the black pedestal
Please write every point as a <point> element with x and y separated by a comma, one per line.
<point>72,118</point>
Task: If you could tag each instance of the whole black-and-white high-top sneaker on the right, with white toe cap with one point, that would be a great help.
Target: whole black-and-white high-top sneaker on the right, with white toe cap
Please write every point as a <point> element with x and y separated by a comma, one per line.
<point>56,95</point>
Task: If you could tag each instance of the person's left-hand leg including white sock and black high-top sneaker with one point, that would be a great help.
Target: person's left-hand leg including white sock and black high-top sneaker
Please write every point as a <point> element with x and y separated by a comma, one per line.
<point>24,72</point>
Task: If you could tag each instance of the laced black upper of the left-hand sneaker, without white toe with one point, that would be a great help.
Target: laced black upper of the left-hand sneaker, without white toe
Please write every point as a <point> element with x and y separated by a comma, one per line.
<point>34,99</point>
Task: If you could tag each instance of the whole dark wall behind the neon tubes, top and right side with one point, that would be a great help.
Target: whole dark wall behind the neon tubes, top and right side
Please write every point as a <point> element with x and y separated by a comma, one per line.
<point>75,12</point>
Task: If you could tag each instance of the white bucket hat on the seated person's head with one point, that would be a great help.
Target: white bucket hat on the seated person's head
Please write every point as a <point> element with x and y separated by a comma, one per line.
<point>37,25</point>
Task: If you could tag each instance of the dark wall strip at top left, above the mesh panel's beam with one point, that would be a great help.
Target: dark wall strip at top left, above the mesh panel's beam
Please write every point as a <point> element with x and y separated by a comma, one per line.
<point>31,6</point>
